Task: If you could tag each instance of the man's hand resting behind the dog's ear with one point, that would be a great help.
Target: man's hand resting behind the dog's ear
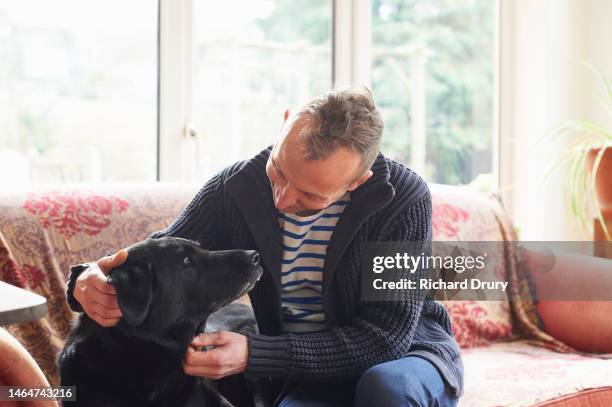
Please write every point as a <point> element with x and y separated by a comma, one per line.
<point>96,295</point>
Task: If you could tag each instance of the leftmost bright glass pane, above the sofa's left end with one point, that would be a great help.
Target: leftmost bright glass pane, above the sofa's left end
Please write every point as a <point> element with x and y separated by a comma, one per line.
<point>78,90</point>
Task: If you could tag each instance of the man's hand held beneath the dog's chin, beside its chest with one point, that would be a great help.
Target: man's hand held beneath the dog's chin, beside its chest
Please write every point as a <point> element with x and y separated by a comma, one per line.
<point>229,355</point>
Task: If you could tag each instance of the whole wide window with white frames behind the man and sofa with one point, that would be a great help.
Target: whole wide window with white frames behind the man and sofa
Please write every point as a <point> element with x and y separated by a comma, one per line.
<point>78,100</point>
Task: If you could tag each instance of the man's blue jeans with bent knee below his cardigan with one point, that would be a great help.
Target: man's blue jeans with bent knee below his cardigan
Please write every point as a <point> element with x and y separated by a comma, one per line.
<point>411,381</point>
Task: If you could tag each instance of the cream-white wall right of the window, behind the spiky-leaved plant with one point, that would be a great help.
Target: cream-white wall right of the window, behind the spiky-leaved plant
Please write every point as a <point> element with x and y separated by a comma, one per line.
<point>549,39</point>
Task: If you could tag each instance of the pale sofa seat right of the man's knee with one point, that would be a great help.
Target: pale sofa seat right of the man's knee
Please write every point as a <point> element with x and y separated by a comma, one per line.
<point>519,374</point>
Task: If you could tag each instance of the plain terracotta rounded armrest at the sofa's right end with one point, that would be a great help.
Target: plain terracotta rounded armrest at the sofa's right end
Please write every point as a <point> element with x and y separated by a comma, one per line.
<point>574,298</point>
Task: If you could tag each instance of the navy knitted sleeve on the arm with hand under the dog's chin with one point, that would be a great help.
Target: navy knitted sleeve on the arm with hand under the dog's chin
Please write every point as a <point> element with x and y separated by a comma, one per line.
<point>380,332</point>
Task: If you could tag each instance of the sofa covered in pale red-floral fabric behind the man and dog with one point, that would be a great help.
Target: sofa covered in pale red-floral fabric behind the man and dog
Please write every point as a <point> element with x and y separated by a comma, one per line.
<point>510,359</point>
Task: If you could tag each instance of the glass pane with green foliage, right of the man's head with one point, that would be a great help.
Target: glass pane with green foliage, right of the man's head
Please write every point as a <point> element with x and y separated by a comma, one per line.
<point>432,76</point>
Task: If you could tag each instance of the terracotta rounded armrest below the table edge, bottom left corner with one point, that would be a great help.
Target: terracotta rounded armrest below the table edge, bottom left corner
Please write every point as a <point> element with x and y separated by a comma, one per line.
<point>17,368</point>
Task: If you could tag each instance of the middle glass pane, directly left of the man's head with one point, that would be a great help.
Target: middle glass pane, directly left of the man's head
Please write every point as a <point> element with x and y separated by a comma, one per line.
<point>275,54</point>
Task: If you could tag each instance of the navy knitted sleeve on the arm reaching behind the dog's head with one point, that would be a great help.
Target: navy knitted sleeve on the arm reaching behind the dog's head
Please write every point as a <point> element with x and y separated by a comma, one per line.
<point>197,222</point>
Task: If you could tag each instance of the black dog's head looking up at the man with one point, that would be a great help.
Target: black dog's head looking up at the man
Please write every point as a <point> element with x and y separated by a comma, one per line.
<point>168,281</point>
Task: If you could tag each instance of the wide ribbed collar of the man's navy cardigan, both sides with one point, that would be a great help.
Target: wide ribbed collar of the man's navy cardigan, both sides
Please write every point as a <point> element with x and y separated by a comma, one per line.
<point>251,189</point>
